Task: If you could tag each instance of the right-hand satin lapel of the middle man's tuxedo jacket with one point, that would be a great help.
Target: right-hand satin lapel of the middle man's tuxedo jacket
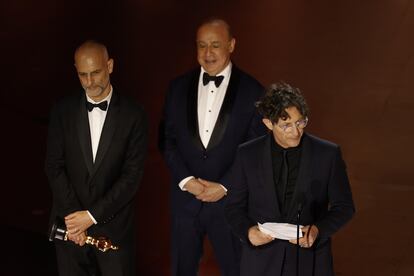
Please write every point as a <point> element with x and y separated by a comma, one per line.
<point>225,110</point>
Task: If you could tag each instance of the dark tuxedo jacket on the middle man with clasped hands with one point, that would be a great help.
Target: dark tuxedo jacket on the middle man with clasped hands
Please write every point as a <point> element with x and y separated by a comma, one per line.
<point>183,150</point>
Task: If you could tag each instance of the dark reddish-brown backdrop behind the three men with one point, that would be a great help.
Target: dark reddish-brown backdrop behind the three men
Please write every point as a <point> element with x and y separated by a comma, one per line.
<point>353,60</point>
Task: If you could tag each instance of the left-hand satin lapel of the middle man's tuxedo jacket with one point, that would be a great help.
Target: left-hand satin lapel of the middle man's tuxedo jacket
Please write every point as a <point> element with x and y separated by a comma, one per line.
<point>192,111</point>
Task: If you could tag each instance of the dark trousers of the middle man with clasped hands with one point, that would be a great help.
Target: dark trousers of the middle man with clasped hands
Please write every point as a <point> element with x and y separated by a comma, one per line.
<point>188,235</point>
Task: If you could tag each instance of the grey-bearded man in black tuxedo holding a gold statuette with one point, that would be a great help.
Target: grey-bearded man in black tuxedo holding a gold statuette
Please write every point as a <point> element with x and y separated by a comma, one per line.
<point>94,162</point>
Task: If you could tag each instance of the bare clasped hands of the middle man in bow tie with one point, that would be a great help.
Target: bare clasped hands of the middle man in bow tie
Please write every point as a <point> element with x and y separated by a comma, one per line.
<point>205,190</point>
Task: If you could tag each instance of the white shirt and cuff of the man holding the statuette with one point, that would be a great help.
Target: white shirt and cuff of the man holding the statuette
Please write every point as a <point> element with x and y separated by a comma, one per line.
<point>96,121</point>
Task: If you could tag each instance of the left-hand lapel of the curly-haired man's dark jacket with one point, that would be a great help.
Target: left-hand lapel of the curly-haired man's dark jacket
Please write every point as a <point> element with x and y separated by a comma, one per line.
<point>267,173</point>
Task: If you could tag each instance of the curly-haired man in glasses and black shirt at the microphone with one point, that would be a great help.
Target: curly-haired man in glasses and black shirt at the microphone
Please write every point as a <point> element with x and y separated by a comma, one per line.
<point>288,177</point>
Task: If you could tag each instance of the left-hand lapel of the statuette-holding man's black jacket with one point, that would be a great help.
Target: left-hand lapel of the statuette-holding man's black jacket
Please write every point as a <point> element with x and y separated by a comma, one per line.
<point>84,134</point>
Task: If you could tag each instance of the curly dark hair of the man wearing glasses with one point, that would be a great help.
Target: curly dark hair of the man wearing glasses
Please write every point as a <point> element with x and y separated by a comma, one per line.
<point>279,97</point>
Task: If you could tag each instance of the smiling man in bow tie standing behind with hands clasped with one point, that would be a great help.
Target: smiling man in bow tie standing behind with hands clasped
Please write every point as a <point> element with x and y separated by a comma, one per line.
<point>208,113</point>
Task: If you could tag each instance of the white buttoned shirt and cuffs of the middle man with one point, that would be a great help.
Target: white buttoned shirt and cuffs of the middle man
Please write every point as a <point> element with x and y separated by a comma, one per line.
<point>209,102</point>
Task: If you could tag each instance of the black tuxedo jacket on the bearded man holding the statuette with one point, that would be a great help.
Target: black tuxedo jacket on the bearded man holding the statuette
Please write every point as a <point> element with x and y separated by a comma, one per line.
<point>107,187</point>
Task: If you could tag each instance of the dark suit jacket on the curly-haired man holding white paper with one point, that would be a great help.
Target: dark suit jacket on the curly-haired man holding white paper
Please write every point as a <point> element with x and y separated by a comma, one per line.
<point>322,188</point>
